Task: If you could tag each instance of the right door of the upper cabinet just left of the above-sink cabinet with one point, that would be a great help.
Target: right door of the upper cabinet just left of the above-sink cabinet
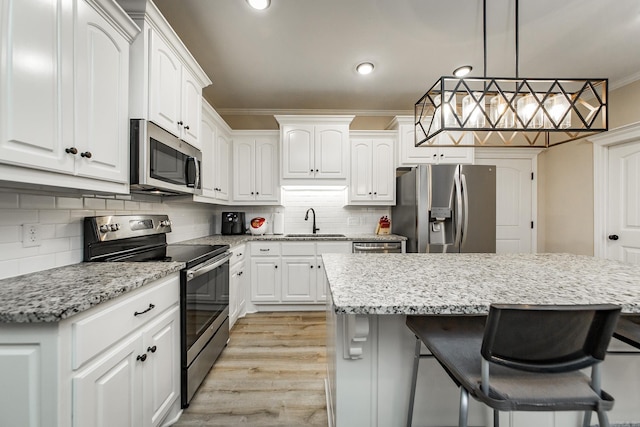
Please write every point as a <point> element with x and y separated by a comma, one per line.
<point>266,164</point>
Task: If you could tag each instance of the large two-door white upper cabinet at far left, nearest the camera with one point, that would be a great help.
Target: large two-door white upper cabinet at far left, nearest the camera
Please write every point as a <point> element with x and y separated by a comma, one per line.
<point>73,58</point>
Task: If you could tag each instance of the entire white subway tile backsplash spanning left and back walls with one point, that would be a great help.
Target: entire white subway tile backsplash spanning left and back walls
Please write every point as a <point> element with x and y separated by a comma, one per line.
<point>59,220</point>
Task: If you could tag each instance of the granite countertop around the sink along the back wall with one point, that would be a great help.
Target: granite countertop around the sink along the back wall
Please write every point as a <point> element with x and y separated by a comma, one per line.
<point>218,239</point>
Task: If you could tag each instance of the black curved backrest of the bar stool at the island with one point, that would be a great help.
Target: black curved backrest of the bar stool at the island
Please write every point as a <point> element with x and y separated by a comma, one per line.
<point>548,338</point>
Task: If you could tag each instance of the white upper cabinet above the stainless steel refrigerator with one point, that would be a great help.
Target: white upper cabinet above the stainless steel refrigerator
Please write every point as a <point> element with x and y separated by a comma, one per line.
<point>410,155</point>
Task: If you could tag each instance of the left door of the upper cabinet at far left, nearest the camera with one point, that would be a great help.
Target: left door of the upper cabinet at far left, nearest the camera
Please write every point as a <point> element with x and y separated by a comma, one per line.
<point>36,83</point>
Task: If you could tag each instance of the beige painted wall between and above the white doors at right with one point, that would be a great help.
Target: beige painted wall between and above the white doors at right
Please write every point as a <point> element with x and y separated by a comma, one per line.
<point>565,191</point>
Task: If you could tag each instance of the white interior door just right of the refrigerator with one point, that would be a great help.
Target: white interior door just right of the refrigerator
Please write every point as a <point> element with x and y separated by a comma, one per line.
<point>514,212</point>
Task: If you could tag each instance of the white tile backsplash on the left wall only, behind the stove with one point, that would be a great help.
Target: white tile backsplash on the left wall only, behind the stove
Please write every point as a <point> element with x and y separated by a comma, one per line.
<point>60,225</point>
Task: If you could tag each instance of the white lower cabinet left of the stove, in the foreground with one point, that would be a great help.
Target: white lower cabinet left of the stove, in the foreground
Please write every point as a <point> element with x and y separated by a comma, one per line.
<point>106,366</point>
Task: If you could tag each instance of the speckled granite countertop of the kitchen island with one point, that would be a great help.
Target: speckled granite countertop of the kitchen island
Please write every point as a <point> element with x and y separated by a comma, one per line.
<point>469,283</point>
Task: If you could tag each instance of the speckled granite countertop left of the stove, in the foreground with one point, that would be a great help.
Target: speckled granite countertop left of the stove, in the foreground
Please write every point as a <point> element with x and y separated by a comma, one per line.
<point>53,295</point>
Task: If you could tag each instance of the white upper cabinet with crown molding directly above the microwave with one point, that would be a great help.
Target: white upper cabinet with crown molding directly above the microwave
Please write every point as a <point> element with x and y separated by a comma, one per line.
<point>166,81</point>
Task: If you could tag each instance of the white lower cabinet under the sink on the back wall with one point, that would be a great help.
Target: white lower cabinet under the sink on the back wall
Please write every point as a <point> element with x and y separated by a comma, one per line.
<point>290,272</point>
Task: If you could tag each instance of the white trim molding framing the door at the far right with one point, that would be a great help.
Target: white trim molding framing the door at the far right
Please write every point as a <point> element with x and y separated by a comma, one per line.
<point>601,143</point>
